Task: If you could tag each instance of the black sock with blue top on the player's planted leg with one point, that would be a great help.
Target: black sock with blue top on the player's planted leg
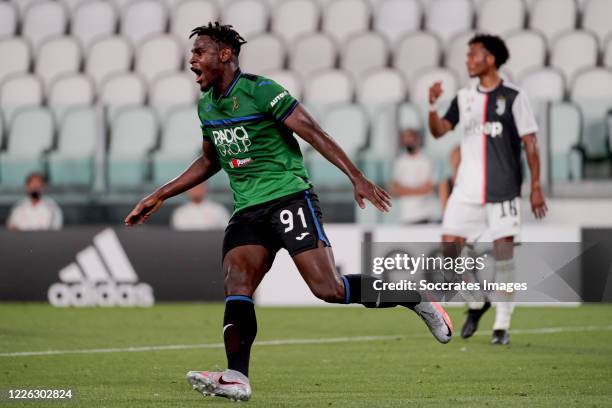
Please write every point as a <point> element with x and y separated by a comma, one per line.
<point>239,331</point>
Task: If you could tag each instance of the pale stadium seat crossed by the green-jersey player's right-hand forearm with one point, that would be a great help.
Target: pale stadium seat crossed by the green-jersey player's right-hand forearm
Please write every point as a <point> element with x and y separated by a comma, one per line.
<point>348,125</point>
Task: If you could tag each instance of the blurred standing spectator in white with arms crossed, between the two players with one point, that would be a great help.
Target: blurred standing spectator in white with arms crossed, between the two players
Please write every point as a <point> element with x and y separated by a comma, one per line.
<point>413,181</point>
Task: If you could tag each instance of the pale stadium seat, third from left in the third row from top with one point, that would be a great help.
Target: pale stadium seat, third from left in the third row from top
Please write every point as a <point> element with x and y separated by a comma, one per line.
<point>121,91</point>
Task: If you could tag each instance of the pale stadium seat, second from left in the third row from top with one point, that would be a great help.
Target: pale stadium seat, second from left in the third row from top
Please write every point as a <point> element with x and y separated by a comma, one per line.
<point>70,91</point>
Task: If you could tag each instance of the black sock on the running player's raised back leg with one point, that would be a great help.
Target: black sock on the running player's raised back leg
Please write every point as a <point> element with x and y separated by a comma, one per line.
<point>360,289</point>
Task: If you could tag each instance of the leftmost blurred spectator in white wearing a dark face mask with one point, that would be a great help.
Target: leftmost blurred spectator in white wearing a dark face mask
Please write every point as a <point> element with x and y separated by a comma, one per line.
<point>35,212</point>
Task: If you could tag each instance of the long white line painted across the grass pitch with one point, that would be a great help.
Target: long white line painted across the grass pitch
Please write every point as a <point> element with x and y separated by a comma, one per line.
<point>285,342</point>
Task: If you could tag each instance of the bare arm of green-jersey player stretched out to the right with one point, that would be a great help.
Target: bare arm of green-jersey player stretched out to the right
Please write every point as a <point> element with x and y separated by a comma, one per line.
<point>306,127</point>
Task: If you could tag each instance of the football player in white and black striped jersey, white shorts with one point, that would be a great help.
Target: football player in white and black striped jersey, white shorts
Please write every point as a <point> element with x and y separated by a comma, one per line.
<point>495,119</point>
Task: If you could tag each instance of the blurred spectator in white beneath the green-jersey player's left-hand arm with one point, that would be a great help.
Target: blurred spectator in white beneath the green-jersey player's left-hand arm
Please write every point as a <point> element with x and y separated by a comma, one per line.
<point>199,213</point>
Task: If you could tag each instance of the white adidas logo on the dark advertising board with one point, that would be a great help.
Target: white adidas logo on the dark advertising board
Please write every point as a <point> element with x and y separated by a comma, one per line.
<point>101,276</point>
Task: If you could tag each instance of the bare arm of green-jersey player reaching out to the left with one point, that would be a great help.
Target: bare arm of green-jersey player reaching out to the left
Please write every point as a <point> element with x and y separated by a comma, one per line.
<point>200,170</point>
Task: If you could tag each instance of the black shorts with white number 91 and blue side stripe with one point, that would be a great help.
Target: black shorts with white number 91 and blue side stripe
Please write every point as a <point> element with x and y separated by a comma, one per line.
<point>293,222</point>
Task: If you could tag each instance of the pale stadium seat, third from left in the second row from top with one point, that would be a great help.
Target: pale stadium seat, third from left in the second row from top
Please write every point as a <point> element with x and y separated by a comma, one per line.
<point>106,57</point>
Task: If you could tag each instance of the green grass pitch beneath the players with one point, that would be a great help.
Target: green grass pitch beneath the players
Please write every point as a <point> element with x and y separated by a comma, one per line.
<point>568,365</point>
